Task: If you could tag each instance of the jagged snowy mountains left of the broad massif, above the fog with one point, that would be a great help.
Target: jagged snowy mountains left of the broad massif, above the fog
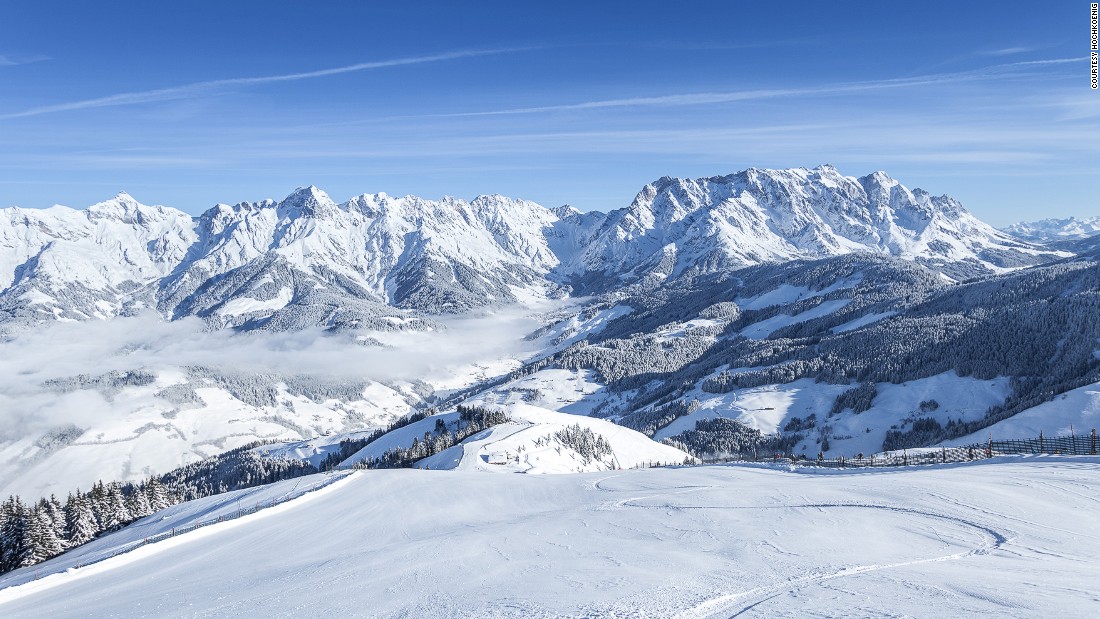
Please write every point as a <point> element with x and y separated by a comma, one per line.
<point>302,262</point>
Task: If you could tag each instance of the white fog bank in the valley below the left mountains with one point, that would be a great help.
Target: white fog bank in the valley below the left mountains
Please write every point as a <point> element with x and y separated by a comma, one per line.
<point>34,361</point>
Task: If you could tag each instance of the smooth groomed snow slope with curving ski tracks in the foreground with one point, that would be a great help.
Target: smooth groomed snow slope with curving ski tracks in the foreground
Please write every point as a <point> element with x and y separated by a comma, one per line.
<point>1010,538</point>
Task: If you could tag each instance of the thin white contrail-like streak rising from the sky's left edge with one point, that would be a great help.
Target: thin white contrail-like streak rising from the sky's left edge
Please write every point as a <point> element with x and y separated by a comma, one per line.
<point>189,91</point>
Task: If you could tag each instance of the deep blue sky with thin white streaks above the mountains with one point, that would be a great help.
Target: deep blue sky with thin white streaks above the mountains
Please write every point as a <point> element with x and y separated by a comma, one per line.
<point>192,104</point>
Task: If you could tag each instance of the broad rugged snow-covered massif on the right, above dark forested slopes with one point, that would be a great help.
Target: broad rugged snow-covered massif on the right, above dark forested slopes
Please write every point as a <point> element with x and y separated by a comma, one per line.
<point>678,226</point>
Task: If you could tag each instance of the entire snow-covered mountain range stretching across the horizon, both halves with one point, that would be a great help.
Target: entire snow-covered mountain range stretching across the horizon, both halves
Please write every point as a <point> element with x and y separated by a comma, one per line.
<point>307,261</point>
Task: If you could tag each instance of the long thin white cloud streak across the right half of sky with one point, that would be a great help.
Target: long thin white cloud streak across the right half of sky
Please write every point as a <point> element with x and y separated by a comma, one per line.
<point>730,97</point>
